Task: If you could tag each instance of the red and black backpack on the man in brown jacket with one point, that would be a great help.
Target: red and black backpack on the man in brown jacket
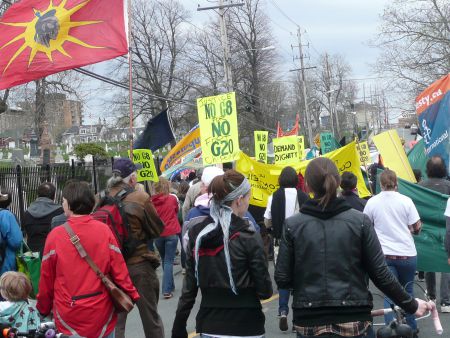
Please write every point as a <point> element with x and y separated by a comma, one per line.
<point>111,211</point>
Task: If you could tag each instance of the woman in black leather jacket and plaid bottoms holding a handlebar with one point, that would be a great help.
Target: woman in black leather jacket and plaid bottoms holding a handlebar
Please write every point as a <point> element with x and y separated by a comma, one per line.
<point>326,253</point>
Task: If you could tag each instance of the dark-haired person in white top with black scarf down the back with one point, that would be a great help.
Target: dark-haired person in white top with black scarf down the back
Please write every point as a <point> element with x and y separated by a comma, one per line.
<point>284,203</point>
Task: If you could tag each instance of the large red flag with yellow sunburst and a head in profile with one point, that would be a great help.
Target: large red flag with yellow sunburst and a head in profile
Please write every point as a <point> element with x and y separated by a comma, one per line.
<point>43,37</point>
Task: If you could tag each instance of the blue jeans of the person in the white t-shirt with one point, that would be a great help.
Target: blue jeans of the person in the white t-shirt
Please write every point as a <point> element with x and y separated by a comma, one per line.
<point>404,270</point>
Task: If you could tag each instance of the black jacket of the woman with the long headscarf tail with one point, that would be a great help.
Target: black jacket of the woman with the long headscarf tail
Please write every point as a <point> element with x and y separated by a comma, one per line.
<point>221,311</point>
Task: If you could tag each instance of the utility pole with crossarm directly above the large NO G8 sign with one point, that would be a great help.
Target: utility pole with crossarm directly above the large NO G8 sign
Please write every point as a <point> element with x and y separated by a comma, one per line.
<point>222,8</point>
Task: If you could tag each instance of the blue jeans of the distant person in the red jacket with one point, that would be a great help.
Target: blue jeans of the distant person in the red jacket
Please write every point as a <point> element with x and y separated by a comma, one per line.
<point>167,247</point>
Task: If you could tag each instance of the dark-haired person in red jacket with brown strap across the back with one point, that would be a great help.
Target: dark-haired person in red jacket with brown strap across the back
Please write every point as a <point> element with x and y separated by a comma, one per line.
<point>68,286</point>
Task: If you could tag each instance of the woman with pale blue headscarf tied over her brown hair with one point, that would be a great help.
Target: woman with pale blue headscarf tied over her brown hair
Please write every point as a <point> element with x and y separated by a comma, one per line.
<point>226,260</point>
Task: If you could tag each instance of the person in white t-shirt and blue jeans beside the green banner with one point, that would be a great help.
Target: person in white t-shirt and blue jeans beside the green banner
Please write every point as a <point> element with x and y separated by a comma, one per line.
<point>396,219</point>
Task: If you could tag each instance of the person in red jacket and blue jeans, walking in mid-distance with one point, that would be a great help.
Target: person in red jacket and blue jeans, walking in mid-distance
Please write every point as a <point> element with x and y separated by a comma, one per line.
<point>166,206</point>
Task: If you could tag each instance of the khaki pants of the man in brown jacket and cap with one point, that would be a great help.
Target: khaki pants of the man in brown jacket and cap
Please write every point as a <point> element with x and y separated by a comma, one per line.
<point>146,282</point>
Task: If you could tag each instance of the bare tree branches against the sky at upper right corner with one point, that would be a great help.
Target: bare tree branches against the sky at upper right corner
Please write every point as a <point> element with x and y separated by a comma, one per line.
<point>414,39</point>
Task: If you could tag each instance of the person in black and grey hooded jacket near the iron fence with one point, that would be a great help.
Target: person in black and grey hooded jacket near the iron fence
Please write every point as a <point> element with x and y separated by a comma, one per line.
<point>37,219</point>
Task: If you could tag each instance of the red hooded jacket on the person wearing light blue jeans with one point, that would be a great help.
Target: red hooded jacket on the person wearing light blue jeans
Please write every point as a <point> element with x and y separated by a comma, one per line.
<point>166,206</point>
